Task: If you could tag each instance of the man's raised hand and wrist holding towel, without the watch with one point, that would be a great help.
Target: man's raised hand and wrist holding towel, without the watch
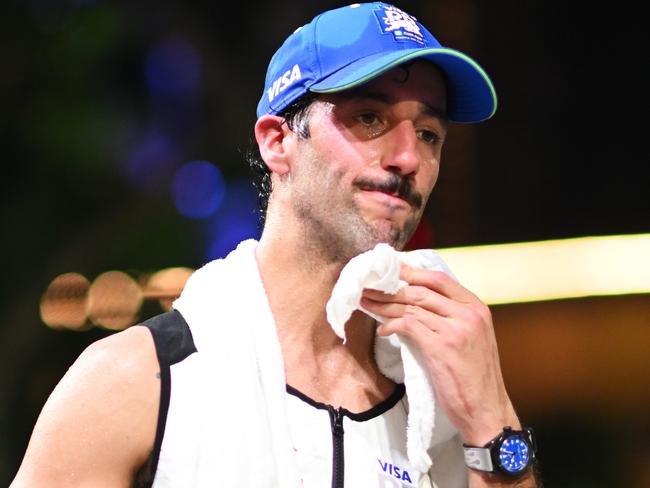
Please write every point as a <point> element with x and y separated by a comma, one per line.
<point>453,331</point>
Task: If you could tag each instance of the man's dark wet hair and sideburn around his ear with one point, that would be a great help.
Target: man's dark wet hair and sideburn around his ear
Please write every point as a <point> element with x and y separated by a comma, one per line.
<point>296,117</point>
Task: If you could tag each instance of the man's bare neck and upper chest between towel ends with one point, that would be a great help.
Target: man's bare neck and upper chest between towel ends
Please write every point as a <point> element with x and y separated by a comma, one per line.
<point>298,284</point>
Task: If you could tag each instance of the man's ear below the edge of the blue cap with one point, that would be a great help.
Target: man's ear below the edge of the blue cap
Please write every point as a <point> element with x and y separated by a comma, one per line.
<point>271,134</point>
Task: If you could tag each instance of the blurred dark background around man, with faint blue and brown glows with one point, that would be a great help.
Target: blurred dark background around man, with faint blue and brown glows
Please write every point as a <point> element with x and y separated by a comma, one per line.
<point>123,127</point>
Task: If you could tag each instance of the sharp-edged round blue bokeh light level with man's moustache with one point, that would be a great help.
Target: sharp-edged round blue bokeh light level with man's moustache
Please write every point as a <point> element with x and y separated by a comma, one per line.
<point>198,189</point>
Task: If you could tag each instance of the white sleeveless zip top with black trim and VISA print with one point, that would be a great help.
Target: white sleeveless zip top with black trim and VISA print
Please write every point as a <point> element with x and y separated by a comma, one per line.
<point>333,447</point>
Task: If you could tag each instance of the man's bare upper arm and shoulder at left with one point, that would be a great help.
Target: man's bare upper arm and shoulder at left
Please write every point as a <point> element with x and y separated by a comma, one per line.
<point>99,424</point>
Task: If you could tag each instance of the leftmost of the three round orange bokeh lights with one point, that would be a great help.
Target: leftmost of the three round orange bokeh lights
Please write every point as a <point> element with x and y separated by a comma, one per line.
<point>63,305</point>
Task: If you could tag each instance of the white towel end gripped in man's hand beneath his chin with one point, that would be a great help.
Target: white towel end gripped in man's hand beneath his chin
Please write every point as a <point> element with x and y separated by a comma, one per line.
<point>378,269</point>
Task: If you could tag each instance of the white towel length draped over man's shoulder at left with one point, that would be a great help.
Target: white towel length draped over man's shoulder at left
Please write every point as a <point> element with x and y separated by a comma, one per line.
<point>244,427</point>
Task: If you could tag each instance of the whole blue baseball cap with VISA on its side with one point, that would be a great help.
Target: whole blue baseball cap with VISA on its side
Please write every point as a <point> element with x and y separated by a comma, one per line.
<point>348,46</point>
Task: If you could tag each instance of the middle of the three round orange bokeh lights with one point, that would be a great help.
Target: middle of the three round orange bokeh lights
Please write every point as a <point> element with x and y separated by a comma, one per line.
<point>114,300</point>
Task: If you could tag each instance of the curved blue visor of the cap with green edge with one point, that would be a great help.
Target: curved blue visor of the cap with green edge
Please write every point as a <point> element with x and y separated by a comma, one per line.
<point>470,93</point>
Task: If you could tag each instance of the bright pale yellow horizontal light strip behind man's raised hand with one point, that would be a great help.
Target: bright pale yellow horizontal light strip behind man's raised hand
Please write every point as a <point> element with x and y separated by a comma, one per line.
<point>554,269</point>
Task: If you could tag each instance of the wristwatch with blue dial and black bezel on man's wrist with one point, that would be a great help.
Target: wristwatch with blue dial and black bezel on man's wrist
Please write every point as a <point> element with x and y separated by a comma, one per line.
<point>509,453</point>
